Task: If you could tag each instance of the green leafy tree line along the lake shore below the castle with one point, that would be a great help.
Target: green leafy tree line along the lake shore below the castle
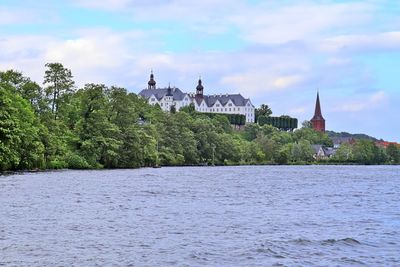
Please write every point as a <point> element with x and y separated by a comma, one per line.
<point>56,125</point>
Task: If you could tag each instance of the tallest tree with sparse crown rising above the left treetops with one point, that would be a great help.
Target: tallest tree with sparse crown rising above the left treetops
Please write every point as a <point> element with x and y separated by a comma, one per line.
<point>59,81</point>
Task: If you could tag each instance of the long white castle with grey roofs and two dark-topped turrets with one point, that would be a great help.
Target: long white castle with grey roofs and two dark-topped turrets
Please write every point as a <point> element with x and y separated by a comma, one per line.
<point>222,103</point>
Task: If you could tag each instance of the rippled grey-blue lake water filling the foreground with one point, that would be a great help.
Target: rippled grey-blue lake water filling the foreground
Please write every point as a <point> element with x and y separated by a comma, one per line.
<point>203,216</point>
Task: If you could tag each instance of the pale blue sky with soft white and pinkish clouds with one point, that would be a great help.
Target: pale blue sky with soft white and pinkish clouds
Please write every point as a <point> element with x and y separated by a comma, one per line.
<point>278,53</point>
